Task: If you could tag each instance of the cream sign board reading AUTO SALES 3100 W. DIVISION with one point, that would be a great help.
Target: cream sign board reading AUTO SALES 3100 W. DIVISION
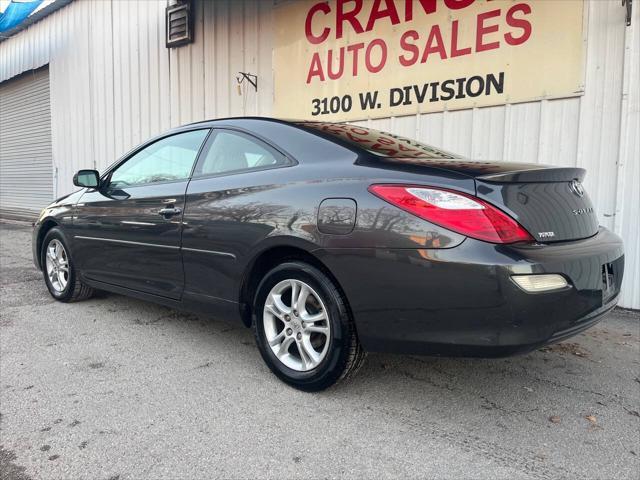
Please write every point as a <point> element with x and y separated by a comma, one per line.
<point>357,59</point>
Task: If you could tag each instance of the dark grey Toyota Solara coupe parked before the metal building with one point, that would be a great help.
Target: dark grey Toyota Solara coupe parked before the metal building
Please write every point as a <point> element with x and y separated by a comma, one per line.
<point>331,240</point>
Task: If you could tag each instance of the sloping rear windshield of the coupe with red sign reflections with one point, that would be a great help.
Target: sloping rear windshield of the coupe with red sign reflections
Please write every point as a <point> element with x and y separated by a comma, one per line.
<point>379,143</point>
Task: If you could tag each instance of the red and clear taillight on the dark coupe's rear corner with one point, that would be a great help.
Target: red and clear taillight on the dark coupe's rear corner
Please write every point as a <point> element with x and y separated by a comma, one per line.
<point>455,211</point>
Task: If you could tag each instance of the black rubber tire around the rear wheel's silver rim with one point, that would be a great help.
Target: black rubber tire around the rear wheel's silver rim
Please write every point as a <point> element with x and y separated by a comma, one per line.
<point>344,355</point>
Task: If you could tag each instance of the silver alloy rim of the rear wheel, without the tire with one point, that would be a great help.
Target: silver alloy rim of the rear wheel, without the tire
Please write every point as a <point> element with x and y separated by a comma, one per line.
<point>296,325</point>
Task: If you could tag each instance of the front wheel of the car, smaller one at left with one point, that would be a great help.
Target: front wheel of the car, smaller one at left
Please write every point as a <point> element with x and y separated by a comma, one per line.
<point>59,270</point>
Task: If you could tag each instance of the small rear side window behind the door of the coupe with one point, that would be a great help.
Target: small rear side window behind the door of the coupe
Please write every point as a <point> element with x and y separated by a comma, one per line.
<point>232,151</point>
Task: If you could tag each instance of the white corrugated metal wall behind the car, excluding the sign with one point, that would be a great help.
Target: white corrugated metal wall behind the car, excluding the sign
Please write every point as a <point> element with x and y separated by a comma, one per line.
<point>113,84</point>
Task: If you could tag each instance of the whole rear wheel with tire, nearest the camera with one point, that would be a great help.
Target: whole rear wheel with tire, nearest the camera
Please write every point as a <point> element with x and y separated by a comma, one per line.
<point>303,327</point>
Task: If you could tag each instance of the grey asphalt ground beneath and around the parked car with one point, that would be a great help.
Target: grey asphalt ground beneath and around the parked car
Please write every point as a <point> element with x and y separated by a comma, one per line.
<point>116,388</point>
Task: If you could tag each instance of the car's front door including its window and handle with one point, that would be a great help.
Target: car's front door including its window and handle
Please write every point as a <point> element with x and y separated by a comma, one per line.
<point>128,232</point>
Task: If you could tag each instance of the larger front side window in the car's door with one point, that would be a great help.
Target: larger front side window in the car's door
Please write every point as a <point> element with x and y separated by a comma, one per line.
<point>169,159</point>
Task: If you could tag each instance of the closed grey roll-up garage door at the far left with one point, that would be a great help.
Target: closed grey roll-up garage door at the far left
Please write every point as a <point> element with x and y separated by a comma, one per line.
<point>26,165</point>
